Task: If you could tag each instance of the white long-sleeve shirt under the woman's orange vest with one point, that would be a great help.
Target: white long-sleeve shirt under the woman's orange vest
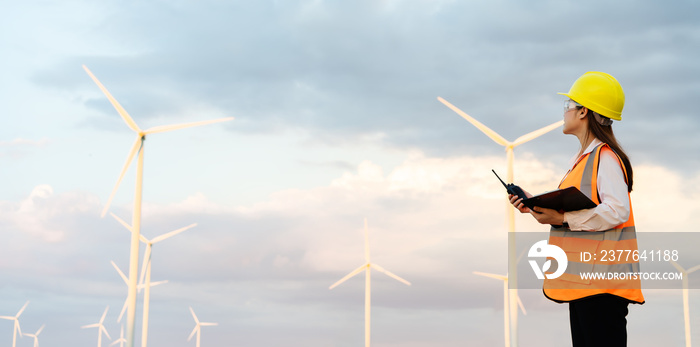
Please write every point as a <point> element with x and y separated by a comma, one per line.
<point>614,207</point>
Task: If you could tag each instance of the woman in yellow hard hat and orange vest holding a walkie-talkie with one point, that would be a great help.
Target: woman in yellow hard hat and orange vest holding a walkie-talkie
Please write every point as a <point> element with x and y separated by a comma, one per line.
<point>602,171</point>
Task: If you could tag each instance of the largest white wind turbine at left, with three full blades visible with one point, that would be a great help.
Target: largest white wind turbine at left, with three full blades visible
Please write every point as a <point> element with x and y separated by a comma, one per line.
<point>138,146</point>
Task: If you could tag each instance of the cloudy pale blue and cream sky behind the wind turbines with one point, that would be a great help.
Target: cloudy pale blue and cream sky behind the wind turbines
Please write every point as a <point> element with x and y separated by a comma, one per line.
<point>336,120</point>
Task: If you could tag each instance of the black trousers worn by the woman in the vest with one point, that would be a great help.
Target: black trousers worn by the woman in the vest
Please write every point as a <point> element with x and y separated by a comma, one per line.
<point>599,321</point>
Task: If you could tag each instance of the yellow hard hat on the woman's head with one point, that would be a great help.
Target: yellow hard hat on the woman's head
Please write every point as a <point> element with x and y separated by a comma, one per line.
<point>599,92</point>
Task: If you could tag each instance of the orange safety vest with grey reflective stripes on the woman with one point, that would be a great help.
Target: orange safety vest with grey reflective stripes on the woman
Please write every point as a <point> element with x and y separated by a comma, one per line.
<point>612,251</point>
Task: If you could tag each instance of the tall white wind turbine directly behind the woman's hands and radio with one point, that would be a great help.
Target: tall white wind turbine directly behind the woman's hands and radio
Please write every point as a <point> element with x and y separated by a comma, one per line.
<point>510,210</point>
